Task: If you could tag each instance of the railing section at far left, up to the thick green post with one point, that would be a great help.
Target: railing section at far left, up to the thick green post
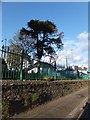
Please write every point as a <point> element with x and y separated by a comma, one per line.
<point>10,64</point>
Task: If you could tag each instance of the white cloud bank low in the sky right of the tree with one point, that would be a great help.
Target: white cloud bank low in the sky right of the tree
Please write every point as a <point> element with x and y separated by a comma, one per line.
<point>75,50</point>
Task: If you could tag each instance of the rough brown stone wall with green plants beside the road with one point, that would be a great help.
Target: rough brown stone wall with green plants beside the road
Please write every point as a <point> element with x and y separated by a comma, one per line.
<point>19,96</point>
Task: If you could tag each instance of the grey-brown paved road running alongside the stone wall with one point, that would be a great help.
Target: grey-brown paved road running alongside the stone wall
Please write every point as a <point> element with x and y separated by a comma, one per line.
<point>66,107</point>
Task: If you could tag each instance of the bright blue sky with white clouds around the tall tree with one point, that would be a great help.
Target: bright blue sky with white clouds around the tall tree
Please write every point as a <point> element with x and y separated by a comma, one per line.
<point>69,17</point>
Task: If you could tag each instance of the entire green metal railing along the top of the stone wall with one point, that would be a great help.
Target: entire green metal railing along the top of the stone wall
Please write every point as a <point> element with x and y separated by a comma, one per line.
<point>15,66</point>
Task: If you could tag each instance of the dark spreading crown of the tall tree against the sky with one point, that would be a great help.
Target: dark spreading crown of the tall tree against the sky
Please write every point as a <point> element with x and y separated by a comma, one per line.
<point>40,38</point>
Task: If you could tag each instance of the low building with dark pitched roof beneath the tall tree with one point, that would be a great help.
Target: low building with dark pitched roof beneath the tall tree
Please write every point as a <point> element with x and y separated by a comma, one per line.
<point>42,69</point>
